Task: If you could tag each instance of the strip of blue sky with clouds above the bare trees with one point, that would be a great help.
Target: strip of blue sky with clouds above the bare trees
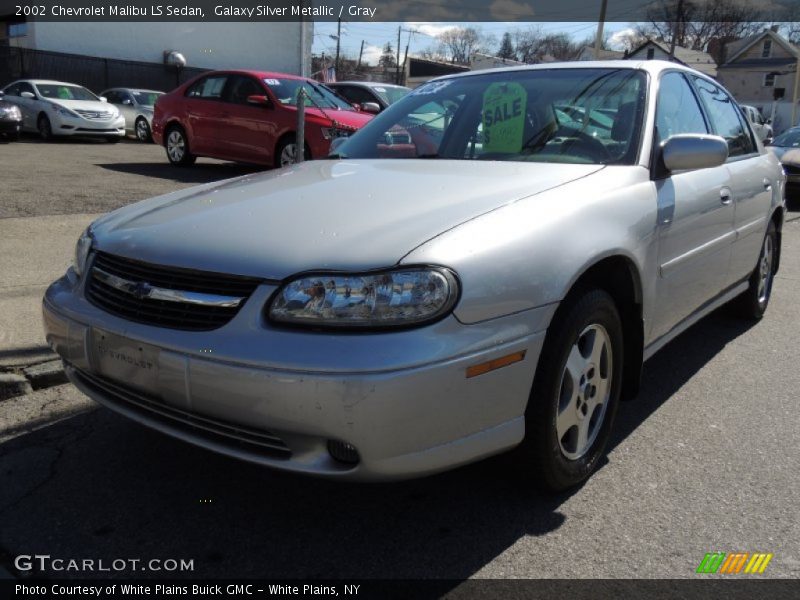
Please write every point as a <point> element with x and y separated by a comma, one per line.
<point>375,35</point>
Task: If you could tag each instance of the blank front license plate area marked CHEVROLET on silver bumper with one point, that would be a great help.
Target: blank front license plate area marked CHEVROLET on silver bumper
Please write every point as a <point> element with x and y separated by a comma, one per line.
<point>126,361</point>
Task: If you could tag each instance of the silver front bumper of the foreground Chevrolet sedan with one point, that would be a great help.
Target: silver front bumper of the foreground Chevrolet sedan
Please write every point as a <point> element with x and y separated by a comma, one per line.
<point>278,397</point>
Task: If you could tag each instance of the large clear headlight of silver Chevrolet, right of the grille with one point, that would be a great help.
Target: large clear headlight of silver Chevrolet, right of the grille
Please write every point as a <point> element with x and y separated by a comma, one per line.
<point>397,298</point>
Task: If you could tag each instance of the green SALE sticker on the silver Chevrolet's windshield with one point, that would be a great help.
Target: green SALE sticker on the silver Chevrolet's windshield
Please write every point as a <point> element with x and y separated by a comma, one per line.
<point>504,117</point>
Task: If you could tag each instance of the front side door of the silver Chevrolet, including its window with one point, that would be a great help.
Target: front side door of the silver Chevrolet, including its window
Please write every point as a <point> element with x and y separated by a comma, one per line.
<point>695,213</point>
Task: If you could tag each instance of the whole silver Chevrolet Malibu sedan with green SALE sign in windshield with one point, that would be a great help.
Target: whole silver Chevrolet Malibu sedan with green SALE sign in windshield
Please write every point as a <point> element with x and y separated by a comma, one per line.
<point>485,265</point>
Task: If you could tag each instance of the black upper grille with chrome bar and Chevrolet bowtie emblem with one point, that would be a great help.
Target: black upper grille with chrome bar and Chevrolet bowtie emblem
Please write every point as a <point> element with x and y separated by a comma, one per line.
<point>166,296</point>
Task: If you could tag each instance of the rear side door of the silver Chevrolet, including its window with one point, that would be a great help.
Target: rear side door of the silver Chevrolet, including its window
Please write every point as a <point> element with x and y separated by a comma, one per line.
<point>751,177</point>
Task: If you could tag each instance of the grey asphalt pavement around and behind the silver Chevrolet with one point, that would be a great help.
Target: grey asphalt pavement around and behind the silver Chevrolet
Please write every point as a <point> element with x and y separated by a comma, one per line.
<point>704,461</point>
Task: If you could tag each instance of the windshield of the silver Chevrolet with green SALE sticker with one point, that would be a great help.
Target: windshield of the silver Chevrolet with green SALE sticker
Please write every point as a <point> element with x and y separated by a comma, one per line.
<point>576,115</point>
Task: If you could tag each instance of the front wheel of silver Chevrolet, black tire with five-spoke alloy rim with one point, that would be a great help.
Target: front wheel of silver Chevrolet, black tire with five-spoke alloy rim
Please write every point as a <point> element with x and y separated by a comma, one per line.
<point>559,460</point>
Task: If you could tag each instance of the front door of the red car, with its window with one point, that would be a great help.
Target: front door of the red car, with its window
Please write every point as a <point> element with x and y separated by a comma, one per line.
<point>248,131</point>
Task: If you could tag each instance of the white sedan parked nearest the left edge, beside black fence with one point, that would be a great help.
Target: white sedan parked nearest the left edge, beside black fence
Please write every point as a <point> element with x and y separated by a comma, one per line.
<point>55,108</point>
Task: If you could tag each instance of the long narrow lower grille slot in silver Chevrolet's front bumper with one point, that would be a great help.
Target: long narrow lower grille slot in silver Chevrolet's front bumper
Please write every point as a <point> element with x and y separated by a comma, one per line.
<point>209,428</point>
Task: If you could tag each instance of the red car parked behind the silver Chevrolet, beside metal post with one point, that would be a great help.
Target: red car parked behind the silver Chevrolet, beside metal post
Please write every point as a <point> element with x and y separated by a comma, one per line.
<point>250,116</point>
